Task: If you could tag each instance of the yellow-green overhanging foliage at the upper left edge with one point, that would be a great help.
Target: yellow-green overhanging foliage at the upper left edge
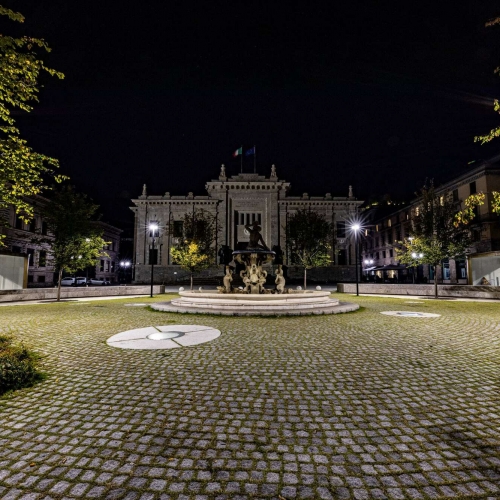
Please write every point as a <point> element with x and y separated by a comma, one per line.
<point>23,172</point>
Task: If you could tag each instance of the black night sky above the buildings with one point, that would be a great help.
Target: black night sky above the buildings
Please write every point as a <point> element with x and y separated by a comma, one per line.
<point>375,94</point>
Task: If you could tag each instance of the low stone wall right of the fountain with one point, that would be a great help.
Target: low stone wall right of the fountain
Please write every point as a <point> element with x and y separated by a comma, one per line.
<point>479,292</point>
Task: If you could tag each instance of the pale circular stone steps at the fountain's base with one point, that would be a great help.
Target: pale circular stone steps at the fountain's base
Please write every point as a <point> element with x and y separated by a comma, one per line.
<point>293,304</point>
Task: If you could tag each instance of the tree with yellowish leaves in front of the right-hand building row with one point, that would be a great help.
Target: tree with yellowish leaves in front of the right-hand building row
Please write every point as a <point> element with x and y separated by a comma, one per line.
<point>438,230</point>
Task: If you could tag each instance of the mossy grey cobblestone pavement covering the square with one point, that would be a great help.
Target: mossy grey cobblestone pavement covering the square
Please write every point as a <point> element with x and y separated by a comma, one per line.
<point>359,405</point>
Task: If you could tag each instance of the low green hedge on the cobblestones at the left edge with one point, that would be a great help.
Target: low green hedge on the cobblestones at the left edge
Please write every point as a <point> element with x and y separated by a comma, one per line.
<point>18,366</point>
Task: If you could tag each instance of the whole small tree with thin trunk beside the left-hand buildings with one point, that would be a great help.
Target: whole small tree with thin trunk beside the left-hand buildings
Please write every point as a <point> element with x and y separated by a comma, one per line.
<point>76,241</point>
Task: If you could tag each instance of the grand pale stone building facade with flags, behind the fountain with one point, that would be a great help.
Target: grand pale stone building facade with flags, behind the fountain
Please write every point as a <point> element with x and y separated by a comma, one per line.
<point>235,201</point>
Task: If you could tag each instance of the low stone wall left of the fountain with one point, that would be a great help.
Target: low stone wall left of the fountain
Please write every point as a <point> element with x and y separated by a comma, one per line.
<point>71,292</point>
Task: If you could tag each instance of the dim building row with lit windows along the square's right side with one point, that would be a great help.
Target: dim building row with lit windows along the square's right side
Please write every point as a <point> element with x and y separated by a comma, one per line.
<point>379,258</point>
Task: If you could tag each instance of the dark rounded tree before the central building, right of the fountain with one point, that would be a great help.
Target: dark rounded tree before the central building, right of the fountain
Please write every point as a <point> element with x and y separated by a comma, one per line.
<point>308,233</point>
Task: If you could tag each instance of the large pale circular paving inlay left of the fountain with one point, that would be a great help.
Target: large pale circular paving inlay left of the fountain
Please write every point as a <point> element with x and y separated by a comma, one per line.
<point>163,337</point>
